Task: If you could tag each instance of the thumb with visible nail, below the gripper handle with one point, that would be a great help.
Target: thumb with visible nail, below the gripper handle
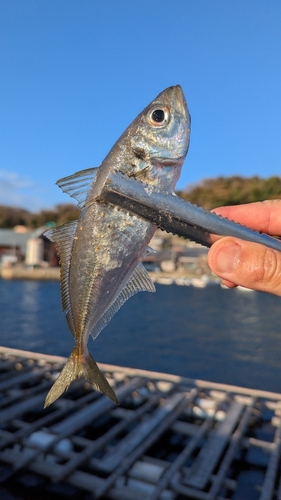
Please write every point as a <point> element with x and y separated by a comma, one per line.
<point>246,264</point>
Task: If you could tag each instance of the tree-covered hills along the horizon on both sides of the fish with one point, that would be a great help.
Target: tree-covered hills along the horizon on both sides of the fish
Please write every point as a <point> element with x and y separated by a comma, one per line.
<point>209,193</point>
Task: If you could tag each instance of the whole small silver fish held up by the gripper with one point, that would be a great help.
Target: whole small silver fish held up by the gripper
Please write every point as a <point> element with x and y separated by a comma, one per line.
<point>100,252</point>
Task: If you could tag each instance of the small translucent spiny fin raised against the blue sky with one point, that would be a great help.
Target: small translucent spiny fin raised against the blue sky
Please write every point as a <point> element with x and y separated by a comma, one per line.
<point>78,185</point>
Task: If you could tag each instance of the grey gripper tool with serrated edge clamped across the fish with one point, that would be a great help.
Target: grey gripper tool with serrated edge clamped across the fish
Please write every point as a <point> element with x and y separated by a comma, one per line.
<point>172,214</point>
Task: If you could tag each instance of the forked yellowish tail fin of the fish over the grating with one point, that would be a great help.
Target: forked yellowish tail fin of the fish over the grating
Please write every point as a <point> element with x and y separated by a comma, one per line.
<point>78,366</point>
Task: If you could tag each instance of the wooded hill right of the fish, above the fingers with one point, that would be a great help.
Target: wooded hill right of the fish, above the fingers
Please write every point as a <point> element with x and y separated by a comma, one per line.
<point>234,190</point>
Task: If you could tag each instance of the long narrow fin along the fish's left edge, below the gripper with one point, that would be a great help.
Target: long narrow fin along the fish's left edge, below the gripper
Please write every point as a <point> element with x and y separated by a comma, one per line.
<point>63,237</point>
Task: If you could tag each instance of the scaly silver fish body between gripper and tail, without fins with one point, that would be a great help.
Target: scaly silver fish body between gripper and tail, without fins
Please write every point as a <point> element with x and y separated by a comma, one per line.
<point>107,248</point>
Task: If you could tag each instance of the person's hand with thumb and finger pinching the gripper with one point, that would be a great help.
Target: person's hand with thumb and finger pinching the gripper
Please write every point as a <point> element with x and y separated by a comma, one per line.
<point>240,262</point>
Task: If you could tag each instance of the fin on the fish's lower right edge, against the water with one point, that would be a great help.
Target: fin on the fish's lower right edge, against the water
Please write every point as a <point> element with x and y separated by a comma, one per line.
<point>139,281</point>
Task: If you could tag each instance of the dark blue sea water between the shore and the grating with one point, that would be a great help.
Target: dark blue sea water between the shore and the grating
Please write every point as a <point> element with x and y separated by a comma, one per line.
<point>210,333</point>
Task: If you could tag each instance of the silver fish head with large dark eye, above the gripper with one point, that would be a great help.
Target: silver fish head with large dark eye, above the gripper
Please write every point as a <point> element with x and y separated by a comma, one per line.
<point>153,148</point>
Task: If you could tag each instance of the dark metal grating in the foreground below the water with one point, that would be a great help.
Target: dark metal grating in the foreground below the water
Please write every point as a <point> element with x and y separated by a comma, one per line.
<point>170,438</point>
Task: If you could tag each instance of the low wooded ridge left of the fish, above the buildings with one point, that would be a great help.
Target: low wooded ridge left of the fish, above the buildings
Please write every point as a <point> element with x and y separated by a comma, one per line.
<point>10,216</point>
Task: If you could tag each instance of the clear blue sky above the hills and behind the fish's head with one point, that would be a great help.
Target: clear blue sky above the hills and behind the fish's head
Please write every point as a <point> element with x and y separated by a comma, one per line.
<point>74,74</point>
